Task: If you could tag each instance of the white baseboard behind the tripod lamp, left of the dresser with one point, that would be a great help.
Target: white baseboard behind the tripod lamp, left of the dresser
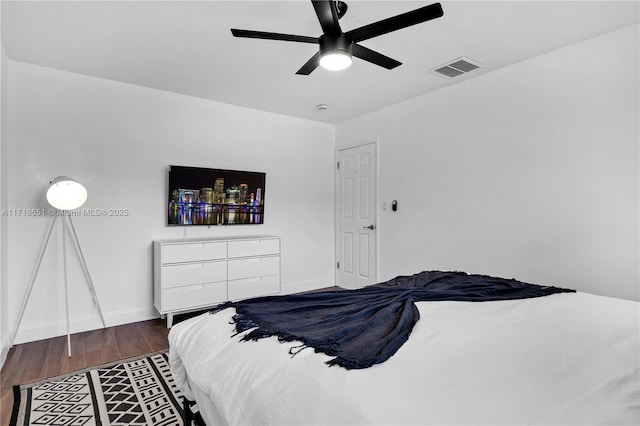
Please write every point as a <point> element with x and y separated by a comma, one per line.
<point>48,330</point>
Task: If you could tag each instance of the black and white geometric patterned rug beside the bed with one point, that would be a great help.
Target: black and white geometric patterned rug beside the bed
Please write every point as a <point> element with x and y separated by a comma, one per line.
<point>136,392</point>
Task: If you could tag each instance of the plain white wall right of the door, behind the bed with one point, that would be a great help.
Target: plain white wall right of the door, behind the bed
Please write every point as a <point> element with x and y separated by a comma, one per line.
<point>529,172</point>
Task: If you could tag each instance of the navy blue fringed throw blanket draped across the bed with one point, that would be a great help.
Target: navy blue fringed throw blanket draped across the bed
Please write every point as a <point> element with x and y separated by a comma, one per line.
<point>363,327</point>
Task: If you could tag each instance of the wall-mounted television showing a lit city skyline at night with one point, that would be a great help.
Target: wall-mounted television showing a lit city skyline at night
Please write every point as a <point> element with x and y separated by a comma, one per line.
<point>204,196</point>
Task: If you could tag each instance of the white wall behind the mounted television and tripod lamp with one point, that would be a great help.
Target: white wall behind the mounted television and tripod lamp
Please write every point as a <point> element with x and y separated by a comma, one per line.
<point>118,140</point>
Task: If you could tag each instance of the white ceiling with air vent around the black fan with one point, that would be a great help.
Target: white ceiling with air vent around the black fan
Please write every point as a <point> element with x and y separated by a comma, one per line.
<point>187,47</point>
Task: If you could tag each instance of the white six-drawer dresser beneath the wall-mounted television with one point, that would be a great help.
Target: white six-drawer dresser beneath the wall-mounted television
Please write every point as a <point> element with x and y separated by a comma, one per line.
<point>198,273</point>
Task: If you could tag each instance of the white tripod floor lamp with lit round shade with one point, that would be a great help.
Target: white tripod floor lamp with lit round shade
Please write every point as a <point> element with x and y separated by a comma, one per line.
<point>64,194</point>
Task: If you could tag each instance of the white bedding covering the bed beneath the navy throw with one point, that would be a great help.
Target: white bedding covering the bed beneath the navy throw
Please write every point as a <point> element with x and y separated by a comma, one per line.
<point>570,358</point>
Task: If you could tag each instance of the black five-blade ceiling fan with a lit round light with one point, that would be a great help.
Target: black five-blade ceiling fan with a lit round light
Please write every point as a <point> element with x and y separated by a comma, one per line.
<point>337,47</point>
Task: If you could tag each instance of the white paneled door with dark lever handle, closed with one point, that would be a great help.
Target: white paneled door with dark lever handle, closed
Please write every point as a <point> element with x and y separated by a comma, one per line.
<point>357,233</point>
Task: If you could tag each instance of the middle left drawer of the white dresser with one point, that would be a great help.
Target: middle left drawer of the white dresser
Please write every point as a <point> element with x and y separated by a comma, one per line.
<point>193,273</point>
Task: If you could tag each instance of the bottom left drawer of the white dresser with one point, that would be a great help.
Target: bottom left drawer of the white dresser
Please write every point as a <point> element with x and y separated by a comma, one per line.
<point>175,299</point>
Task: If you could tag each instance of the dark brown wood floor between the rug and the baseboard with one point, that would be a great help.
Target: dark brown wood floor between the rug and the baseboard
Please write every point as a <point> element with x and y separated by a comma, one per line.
<point>33,361</point>
